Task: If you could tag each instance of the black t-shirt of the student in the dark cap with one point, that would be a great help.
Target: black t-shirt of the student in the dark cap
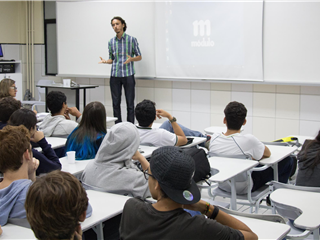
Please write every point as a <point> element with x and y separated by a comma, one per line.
<point>141,221</point>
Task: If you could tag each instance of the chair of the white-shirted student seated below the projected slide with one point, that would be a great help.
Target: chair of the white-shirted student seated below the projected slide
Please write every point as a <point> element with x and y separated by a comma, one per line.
<point>254,198</point>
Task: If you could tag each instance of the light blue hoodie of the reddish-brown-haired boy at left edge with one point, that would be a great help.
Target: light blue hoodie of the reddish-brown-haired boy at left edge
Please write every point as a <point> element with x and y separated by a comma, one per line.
<point>9,198</point>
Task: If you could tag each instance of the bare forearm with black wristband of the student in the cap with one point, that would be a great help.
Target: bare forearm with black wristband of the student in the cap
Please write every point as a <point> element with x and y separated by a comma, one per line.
<point>224,219</point>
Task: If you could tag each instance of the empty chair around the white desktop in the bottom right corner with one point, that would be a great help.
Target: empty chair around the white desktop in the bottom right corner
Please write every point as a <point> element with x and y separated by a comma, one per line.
<point>291,212</point>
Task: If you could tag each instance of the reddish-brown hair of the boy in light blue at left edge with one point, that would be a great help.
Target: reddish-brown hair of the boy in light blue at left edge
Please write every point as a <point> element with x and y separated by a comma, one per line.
<point>14,141</point>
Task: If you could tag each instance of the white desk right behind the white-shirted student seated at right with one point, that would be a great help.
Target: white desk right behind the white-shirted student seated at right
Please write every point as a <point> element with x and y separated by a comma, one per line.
<point>229,168</point>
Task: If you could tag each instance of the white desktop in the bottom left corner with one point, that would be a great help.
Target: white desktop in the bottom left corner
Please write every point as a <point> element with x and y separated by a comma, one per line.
<point>11,231</point>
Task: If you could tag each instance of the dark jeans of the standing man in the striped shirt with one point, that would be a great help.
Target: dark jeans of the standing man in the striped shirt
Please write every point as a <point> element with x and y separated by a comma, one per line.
<point>128,84</point>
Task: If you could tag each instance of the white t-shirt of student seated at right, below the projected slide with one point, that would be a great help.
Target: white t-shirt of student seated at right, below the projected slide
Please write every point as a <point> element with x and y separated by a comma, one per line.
<point>230,145</point>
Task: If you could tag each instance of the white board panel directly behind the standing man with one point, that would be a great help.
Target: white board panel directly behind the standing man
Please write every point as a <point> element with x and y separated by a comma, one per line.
<point>84,29</point>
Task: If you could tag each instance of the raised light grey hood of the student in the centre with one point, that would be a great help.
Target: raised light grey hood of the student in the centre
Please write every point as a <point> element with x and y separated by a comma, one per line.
<point>119,145</point>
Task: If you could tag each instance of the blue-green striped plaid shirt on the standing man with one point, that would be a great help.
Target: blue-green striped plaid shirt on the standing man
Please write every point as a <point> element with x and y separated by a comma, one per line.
<point>118,51</point>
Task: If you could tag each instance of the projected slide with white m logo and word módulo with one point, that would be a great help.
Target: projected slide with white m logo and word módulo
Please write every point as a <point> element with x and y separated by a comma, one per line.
<point>212,40</point>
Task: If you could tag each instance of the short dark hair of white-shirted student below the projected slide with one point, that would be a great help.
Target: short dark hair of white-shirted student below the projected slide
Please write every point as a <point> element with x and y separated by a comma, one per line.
<point>235,114</point>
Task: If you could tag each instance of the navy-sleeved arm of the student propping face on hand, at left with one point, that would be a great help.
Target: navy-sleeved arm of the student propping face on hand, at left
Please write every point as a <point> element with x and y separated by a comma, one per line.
<point>48,158</point>
